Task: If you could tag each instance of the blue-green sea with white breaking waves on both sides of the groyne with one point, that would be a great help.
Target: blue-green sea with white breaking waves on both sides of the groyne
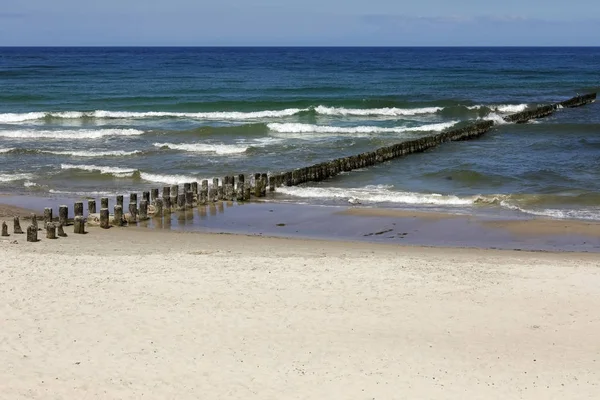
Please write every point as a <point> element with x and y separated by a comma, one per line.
<point>89,122</point>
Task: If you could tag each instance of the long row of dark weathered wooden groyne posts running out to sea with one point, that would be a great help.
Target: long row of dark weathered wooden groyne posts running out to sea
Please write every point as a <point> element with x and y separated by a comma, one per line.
<point>238,188</point>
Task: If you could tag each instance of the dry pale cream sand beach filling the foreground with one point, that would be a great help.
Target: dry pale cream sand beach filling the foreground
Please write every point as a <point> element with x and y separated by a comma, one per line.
<point>129,313</point>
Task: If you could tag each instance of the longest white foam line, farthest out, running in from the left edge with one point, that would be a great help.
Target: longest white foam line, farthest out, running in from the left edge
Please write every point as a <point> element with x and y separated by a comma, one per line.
<point>217,115</point>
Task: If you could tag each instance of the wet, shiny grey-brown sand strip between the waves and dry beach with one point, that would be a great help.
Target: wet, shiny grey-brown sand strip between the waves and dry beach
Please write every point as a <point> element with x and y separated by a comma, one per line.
<point>370,225</point>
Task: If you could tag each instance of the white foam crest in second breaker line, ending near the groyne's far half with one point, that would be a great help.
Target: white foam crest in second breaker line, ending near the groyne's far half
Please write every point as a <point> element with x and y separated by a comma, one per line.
<point>309,128</point>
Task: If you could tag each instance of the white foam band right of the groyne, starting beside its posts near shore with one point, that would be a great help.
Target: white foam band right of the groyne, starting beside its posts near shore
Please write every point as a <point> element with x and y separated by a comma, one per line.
<point>375,194</point>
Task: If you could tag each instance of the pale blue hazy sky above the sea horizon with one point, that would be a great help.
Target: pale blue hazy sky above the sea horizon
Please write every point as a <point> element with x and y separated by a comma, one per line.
<point>299,23</point>
